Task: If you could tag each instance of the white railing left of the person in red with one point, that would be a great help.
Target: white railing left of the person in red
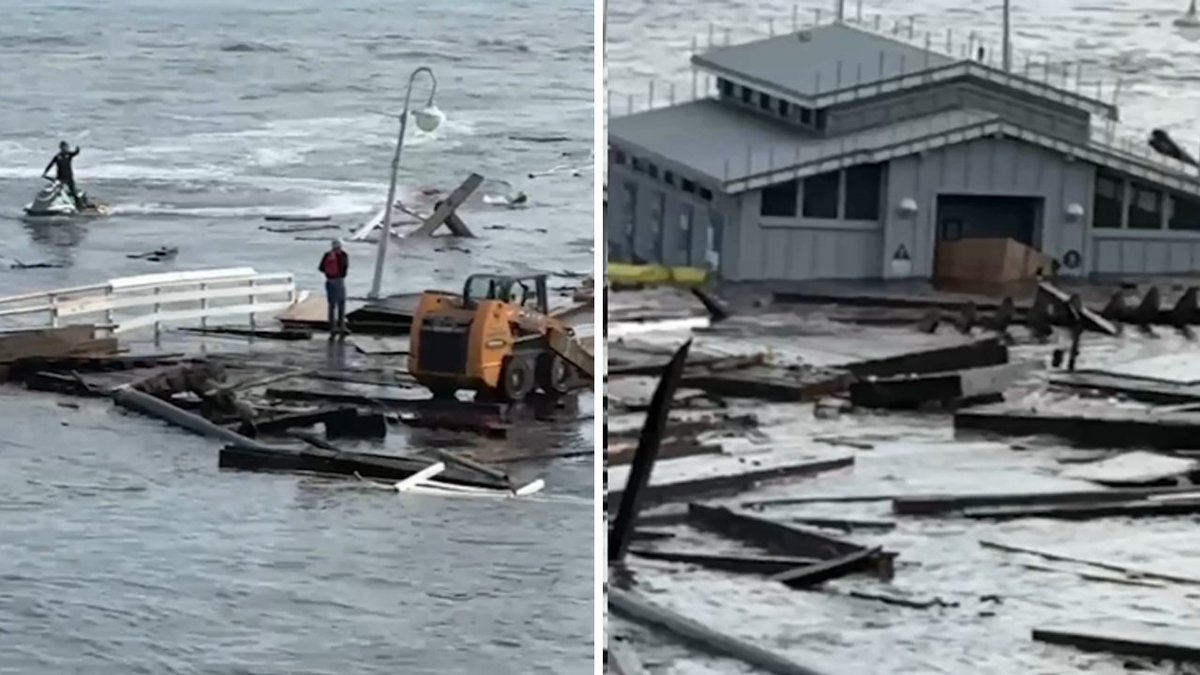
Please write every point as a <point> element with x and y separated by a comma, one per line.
<point>170,297</point>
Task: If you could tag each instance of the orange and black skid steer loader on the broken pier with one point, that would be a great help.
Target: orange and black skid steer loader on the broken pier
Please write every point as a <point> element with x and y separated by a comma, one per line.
<point>496,339</point>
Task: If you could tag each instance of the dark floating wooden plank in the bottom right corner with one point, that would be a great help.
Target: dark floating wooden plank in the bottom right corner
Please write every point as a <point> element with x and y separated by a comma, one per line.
<point>1175,643</point>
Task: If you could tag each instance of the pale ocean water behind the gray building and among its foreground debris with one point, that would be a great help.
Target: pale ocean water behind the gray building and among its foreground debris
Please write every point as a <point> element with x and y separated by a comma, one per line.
<point>1157,64</point>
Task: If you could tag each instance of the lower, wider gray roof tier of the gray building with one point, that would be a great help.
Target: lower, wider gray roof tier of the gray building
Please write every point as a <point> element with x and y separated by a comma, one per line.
<point>739,151</point>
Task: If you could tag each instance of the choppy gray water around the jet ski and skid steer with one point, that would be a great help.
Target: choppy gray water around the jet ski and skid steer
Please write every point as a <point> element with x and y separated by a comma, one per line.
<point>122,547</point>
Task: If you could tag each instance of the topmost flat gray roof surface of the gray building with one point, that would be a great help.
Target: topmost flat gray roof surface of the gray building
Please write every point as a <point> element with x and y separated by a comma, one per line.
<point>820,59</point>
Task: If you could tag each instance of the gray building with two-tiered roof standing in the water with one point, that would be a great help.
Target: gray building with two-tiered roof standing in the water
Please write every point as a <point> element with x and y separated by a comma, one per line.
<point>836,153</point>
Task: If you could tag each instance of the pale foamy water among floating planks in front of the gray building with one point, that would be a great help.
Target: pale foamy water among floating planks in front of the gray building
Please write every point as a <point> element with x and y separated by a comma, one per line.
<point>999,598</point>
